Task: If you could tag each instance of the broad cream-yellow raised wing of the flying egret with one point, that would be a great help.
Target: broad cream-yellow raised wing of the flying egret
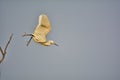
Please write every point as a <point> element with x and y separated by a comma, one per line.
<point>42,29</point>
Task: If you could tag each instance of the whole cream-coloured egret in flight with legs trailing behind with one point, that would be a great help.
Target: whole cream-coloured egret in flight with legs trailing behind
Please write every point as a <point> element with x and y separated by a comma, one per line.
<point>41,31</point>
